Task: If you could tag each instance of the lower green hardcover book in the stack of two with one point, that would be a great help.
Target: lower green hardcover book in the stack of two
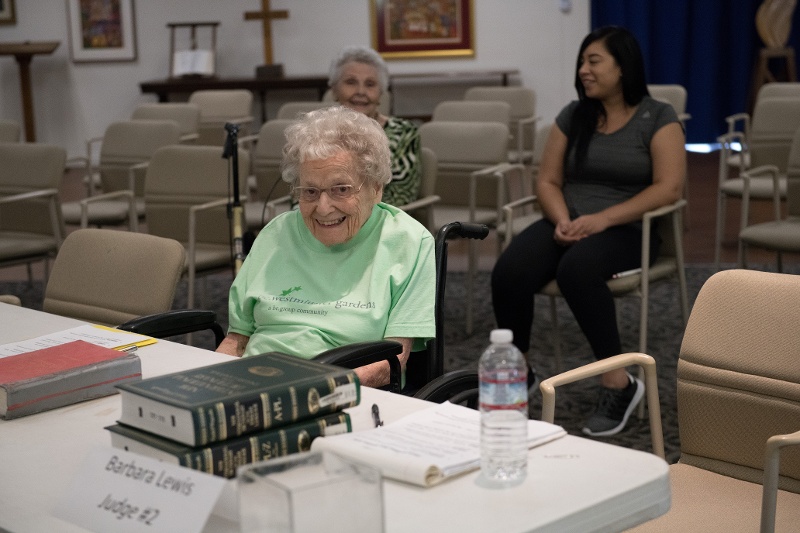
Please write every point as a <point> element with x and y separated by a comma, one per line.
<point>223,458</point>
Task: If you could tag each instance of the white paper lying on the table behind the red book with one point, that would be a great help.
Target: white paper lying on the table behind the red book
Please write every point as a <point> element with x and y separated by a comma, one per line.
<point>99,335</point>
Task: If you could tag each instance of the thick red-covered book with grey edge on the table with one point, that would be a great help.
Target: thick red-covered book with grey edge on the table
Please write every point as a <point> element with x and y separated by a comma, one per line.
<point>62,375</point>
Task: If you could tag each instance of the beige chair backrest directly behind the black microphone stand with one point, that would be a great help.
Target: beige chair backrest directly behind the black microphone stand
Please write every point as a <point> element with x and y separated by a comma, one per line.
<point>182,176</point>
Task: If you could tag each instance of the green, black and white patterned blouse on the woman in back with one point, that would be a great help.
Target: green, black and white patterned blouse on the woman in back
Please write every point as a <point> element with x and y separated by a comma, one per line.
<point>405,147</point>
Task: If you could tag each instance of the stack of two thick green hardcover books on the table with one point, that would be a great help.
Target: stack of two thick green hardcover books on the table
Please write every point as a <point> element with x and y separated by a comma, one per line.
<point>218,417</point>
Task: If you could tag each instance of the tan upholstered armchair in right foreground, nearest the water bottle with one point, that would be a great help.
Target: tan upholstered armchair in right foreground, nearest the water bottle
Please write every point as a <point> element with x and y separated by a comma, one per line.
<point>738,407</point>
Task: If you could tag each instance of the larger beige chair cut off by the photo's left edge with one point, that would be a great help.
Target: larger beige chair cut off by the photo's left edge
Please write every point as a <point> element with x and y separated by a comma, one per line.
<point>31,227</point>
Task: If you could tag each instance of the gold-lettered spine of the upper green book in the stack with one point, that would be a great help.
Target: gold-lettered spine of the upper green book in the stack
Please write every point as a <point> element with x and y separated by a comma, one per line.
<point>225,420</point>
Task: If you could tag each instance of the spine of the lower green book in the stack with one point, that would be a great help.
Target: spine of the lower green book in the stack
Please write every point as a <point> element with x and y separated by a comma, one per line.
<point>224,458</point>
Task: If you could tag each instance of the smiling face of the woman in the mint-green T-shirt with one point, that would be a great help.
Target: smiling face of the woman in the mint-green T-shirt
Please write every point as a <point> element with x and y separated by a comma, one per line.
<point>336,221</point>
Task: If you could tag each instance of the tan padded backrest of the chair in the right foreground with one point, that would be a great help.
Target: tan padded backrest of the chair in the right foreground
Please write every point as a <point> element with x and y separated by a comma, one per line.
<point>738,374</point>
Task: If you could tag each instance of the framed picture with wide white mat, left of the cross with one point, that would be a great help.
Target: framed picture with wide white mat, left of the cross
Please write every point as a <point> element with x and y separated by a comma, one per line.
<point>101,30</point>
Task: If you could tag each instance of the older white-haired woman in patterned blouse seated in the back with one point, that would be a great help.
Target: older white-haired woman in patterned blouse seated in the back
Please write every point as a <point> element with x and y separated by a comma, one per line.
<point>358,79</point>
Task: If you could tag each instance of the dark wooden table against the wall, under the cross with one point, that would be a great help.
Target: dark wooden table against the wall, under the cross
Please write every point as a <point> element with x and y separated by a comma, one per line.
<point>164,88</point>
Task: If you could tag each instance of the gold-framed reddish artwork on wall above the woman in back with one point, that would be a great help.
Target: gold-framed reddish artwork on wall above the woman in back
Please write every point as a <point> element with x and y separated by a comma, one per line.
<point>404,29</point>
